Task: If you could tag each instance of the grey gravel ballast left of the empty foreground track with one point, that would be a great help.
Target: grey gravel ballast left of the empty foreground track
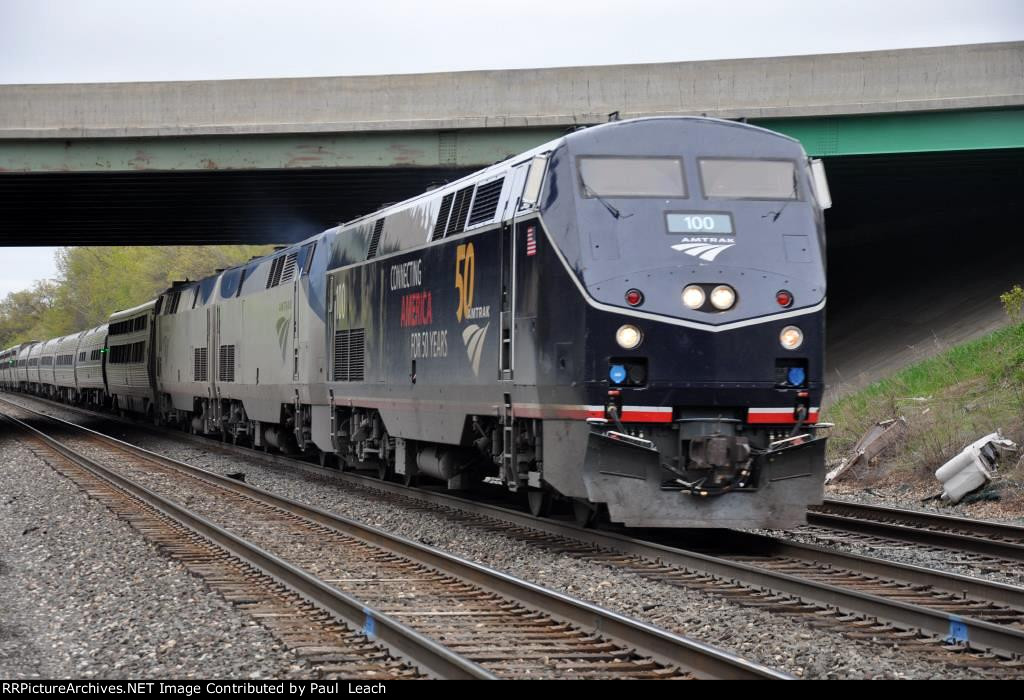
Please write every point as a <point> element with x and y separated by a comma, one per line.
<point>84,596</point>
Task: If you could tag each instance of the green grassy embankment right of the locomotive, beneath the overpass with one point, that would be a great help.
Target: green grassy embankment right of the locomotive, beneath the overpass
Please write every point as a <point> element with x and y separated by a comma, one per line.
<point>950,401</point>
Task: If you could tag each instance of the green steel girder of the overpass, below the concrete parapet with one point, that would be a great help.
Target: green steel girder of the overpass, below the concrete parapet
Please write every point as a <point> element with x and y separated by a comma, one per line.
<point>846,136</point>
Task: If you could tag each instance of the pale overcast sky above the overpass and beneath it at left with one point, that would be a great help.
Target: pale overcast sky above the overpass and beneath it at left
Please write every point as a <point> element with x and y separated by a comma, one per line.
<point>74,41</point>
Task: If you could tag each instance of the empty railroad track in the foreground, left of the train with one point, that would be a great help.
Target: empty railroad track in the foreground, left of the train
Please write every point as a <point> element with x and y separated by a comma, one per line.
<point>425,611</point>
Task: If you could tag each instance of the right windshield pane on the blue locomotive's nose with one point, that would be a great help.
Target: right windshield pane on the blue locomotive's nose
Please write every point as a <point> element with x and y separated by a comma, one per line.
<point>744,180</point>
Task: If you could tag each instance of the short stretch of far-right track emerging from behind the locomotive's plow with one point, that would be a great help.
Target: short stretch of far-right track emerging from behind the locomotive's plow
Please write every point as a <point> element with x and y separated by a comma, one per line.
<point>996,541</point>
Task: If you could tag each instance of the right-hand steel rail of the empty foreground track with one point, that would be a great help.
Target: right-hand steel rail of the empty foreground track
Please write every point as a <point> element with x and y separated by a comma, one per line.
<point>666,647</point>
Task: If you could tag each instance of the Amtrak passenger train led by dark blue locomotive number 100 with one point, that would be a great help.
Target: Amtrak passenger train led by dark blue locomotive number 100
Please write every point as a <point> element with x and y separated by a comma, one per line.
<point>630,318</point>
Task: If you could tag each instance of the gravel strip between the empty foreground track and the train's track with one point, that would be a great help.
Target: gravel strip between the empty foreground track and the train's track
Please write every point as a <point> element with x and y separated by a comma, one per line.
<point>772,639</point>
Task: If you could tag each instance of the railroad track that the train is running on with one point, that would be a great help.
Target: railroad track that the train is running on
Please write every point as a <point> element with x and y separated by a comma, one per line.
<point>956,620</point>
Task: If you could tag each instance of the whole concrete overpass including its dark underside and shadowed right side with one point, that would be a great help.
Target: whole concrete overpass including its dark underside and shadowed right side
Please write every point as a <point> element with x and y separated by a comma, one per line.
<point>925,151</point>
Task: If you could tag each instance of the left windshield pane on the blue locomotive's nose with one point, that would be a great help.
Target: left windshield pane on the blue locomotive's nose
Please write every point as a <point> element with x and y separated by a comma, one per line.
<point>632,178</point>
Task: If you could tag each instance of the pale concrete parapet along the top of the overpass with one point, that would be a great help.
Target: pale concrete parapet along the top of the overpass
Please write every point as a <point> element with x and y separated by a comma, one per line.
<point>970,77</point>
